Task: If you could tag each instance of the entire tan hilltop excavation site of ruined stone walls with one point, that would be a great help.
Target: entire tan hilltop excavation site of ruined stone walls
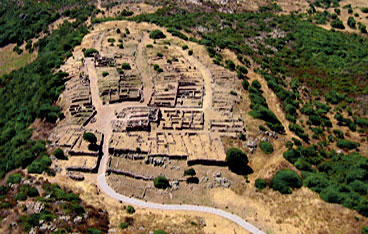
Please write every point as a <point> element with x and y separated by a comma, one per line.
<point>154,108</point>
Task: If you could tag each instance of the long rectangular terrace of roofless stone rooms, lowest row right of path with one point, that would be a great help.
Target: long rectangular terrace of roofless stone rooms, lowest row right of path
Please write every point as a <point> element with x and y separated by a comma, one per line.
<point>193,147</point>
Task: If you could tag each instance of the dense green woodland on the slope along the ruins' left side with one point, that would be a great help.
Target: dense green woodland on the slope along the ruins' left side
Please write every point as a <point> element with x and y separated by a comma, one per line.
<point>42,86</point>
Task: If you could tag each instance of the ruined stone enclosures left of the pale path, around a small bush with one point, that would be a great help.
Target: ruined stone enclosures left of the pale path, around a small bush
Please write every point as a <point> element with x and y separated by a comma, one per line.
<point>80,156</point>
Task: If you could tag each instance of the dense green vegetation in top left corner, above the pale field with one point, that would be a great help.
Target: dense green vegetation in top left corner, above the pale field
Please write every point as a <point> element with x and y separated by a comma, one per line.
<point>20,22</point>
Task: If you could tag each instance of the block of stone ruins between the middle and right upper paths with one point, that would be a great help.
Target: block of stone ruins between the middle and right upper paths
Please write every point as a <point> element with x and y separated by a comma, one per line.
<point>178,84</point>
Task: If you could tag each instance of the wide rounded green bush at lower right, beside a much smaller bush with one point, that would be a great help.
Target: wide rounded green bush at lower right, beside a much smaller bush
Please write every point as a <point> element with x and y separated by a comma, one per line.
<point>284,180</point>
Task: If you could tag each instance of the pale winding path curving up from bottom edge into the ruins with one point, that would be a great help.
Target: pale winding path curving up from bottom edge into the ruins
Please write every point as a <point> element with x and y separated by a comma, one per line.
<point>103,124</point>
